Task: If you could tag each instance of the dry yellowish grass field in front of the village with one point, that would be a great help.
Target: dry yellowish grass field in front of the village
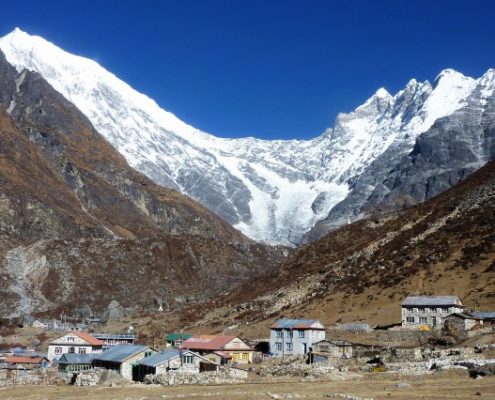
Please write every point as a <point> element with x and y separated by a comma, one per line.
<point>451,385</point>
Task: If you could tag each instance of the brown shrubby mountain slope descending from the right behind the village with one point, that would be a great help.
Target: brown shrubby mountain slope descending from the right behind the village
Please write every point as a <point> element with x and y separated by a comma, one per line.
<point>362,271</point>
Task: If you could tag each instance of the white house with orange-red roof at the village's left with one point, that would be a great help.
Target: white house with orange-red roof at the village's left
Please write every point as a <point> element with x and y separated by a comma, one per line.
<point>75,342</point>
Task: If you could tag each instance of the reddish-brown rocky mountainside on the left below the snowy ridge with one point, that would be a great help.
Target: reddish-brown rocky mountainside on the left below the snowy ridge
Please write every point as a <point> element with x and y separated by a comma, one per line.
<point>80,227</point>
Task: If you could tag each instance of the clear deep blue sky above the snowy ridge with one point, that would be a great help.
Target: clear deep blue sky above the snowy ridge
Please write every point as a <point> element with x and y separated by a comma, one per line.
<point>269,69</point>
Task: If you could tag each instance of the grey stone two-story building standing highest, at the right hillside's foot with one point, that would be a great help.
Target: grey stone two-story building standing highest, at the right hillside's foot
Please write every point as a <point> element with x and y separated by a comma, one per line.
<point>429,310</point>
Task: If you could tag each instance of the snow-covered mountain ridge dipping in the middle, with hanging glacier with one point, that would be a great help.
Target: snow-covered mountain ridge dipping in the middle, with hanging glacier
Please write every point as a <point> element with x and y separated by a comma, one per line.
<point>273,191</point>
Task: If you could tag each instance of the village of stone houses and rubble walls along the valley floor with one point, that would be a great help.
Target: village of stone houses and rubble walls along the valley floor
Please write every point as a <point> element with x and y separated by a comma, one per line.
<point>435,334</point>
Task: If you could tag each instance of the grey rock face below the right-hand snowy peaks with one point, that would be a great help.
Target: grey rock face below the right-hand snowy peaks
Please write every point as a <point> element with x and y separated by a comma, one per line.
<point>454,147</point>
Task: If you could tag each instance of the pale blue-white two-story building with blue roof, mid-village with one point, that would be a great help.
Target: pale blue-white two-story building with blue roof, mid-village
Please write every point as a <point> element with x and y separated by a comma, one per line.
<point>295,336</point>
